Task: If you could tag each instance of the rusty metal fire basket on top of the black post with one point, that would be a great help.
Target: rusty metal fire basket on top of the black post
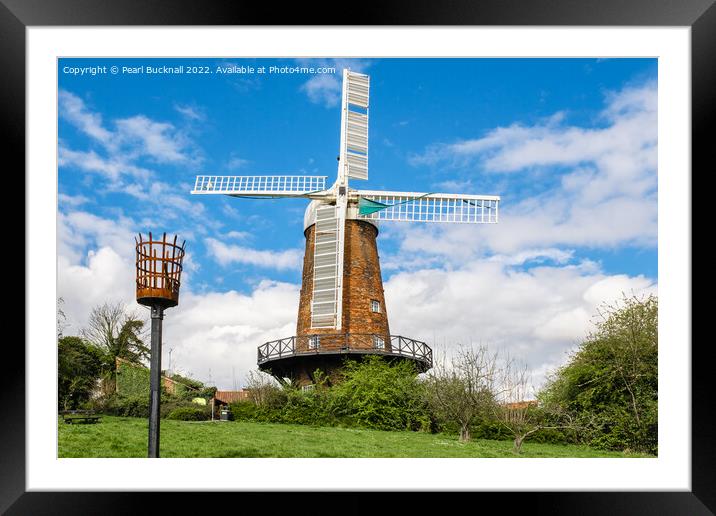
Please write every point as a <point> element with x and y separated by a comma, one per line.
<point>159,266</point>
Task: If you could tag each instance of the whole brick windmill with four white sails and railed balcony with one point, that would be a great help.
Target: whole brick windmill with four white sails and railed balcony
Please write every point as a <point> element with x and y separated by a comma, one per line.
<point>342,312</point>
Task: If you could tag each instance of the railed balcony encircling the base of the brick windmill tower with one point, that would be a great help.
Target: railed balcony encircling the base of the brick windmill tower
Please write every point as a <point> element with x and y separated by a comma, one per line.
<point>272,353</point>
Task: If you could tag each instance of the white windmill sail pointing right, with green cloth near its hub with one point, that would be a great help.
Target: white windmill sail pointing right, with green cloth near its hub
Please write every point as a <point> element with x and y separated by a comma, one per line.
<point>427,207</point>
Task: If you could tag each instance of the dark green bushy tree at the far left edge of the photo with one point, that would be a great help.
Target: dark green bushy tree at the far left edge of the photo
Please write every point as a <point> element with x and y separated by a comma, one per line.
<point>79,368</point>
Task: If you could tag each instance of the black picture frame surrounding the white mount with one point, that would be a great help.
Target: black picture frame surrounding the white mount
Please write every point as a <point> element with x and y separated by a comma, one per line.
<point>699,15</point>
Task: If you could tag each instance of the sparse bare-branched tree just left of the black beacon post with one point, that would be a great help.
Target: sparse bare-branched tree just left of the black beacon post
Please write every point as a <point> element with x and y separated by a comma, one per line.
<point>119,334</point>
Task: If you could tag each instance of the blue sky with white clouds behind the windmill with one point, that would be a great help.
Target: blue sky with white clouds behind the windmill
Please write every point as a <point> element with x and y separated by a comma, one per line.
<point>569,144</point>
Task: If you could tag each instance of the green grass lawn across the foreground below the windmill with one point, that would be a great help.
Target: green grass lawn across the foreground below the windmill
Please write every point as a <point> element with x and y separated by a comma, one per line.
<point>127,437</point>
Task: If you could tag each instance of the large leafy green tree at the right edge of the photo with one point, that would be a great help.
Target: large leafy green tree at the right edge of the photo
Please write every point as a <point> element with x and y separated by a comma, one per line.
<point>610,384</point>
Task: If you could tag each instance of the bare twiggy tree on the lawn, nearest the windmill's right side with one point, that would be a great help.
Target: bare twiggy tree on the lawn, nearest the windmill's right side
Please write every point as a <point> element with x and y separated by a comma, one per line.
<point>464,389</point>
